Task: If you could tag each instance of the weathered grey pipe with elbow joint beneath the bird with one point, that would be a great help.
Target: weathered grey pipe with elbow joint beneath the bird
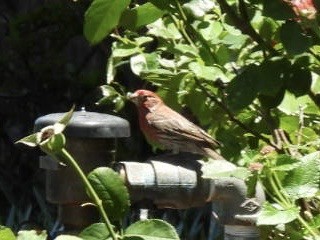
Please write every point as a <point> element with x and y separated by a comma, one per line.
<point>174,181</point>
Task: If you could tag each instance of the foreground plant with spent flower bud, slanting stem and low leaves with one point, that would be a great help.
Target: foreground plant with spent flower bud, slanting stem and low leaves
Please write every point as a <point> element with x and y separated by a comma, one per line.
<point>104,187</point>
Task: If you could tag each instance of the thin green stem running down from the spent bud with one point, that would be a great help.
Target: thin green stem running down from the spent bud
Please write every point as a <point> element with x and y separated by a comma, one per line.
<point>63,154</point>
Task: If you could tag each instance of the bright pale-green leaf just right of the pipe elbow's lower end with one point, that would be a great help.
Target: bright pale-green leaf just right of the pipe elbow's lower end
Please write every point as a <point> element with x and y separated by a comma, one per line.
<point>273,214</point>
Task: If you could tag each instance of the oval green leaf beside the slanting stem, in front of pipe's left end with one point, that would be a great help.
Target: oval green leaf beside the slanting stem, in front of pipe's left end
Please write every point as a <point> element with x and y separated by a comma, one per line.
<point>111,190</point>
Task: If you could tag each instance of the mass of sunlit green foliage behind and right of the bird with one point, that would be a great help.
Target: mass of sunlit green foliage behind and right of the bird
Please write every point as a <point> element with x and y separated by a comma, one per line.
<point>248,71</point>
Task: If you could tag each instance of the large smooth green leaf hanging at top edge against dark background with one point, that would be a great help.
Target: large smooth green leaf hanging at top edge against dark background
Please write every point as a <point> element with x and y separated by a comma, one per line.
<point>101,17</point>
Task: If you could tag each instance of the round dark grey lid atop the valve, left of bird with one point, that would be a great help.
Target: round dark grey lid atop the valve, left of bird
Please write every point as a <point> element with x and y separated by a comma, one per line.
<point>88,124</point>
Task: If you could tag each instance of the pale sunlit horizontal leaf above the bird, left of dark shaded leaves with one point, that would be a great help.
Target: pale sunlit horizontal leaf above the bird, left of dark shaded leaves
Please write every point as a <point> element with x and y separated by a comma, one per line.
<point>206,72</point>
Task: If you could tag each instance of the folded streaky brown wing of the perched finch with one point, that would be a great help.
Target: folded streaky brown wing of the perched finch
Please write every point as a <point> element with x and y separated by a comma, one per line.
<point>177,126</point>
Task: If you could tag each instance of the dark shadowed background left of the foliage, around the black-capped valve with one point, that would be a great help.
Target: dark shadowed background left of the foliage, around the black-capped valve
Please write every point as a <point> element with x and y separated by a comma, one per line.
<point>46,65</point>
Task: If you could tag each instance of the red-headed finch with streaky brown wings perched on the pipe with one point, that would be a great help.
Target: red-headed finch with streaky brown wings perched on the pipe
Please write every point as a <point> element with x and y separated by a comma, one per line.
<point>163,126</point>
